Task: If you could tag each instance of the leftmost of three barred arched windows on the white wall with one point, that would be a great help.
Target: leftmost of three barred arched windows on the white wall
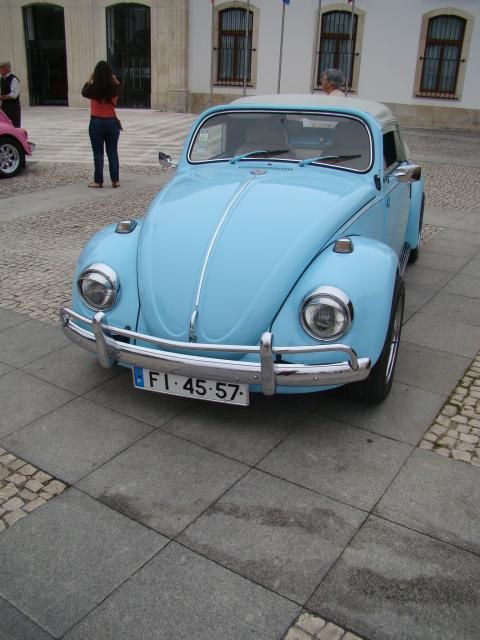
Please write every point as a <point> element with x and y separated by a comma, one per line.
<point>234,60</point>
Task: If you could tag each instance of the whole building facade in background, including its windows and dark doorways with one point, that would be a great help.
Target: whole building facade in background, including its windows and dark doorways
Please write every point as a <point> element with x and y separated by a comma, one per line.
<point>418,56</point>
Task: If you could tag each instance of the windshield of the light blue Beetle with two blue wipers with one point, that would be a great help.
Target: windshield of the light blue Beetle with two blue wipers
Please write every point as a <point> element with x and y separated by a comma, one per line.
<point>308,138</point>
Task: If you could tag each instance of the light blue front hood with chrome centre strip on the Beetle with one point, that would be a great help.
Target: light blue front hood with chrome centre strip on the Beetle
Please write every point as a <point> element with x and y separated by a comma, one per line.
<point>235,243</point>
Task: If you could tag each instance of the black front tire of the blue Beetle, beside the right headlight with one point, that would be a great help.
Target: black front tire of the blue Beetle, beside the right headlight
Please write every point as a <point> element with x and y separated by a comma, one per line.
<point>376,387</point>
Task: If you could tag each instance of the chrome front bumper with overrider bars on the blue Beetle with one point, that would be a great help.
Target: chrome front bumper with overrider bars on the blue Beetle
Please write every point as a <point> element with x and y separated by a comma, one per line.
<point>267,373</point>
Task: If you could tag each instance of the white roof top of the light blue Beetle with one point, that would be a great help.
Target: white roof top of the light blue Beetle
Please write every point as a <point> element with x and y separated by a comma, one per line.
<point>377,110</point>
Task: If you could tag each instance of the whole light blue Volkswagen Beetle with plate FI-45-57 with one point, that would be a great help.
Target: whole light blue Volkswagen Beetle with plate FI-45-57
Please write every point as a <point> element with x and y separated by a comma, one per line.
<point>270,263</point>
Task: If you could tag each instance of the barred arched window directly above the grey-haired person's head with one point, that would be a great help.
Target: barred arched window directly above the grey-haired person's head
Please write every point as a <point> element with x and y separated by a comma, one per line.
<point>335,43</point>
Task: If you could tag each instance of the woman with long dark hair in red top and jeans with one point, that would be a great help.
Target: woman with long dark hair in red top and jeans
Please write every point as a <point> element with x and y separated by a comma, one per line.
<point>102,90</point>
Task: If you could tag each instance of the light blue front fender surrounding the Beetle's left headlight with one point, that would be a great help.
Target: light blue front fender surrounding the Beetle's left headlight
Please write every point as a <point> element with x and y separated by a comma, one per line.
<point>118,251</point>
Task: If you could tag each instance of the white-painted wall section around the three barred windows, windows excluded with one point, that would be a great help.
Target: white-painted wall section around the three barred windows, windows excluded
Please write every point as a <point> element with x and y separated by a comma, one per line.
<point>387,61</point>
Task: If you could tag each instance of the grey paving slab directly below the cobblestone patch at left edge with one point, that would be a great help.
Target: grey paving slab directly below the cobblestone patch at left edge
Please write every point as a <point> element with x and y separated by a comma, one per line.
<point>62,560</point>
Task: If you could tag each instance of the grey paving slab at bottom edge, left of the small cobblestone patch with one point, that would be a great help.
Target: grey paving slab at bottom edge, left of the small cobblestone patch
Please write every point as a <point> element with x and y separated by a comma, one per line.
<point>181,596</point>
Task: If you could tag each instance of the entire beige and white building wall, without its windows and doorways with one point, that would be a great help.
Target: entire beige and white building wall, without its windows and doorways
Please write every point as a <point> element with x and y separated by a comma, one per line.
<point>386,67</point>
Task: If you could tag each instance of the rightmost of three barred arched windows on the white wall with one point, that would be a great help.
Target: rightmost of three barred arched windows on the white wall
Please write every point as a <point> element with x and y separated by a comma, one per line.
<point>442,56</point>
